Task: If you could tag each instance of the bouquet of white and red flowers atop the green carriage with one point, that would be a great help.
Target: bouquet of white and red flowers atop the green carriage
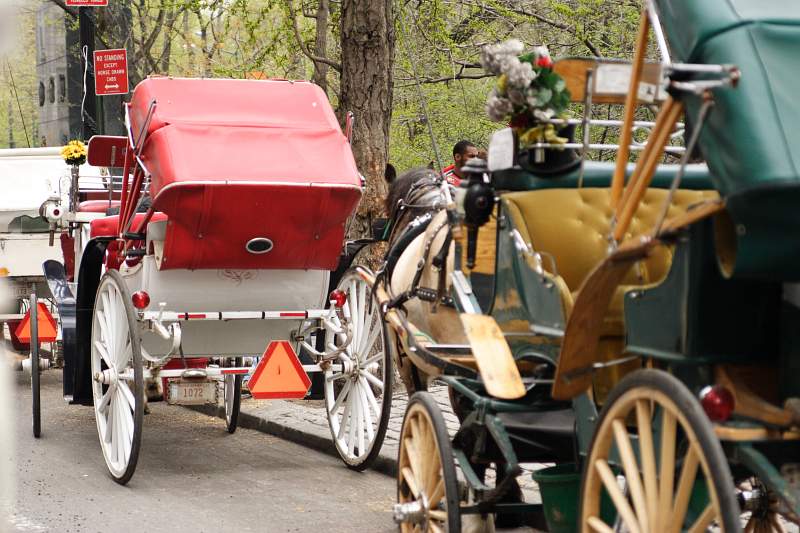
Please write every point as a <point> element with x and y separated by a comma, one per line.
<point>528,92</point>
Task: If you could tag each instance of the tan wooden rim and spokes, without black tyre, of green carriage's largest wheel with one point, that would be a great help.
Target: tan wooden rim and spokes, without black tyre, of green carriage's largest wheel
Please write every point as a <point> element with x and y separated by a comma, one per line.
<point>658,490</point>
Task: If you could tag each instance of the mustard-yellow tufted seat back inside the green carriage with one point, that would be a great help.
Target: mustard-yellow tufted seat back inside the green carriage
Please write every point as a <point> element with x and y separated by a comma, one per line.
<point>572,225</point>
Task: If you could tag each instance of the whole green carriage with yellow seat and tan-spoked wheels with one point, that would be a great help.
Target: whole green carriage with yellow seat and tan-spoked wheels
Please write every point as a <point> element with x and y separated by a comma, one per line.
<point>653,326</point>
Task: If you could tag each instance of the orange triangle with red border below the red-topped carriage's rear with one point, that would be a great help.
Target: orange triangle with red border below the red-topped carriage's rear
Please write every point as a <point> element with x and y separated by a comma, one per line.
<point>279,374</point>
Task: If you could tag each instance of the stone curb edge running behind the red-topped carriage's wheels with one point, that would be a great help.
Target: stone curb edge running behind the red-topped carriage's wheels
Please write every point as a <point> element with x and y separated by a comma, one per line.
<point>383,463</point>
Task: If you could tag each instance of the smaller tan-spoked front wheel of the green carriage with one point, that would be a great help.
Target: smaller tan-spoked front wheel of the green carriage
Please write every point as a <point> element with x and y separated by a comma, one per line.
<point>427,487</point>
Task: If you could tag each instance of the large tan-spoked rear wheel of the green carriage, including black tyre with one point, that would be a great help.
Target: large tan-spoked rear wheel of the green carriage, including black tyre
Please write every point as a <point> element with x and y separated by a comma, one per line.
<point>678,481</point>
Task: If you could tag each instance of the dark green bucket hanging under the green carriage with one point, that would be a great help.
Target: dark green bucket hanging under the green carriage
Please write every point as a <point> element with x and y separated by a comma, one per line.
<point>560,487</point>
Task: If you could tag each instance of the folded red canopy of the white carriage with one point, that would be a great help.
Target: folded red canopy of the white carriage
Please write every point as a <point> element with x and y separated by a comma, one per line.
<point>236,160</point>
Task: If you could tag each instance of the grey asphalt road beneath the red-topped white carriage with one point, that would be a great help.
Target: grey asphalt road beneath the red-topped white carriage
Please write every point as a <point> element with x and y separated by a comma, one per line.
<point>192,476</point>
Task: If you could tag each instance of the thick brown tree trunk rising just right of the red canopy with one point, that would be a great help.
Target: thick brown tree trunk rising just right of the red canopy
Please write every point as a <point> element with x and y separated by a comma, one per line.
<point>368,39</point>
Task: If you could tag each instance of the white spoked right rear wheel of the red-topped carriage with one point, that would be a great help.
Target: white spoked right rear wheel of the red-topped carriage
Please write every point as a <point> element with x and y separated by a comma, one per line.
<point>358,394</point>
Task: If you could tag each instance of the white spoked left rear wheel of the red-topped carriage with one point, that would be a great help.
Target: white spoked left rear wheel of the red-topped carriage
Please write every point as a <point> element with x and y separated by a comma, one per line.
<point>117,384</point>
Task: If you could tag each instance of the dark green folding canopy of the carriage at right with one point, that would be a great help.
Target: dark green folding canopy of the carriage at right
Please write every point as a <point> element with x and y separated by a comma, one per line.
<point>751,140</point>
